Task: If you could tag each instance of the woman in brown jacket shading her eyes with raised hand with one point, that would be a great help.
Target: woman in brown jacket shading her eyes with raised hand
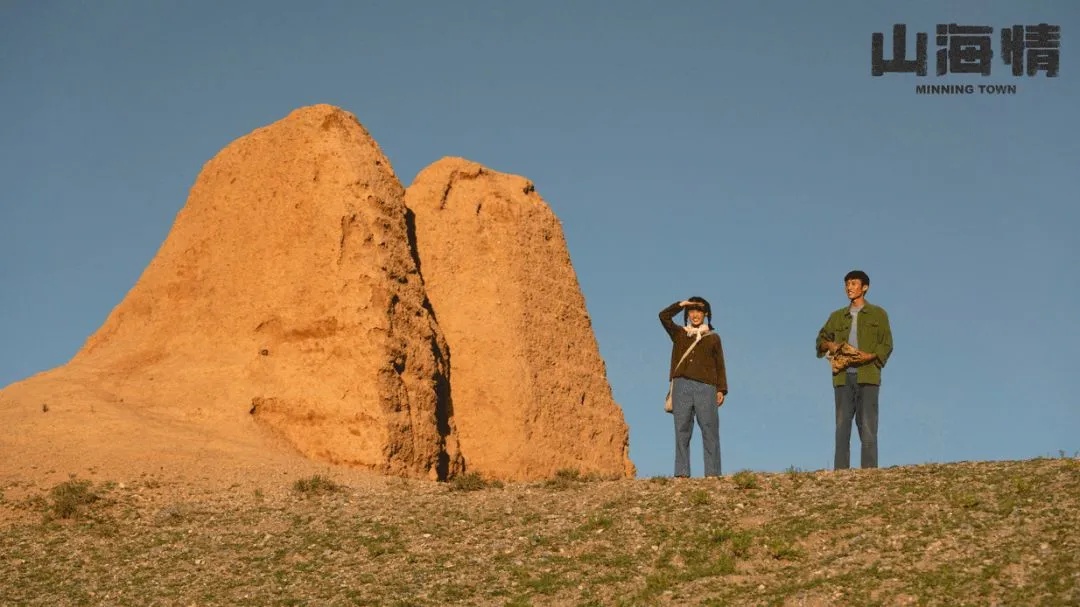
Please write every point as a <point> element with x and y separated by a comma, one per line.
<point>699,382</point>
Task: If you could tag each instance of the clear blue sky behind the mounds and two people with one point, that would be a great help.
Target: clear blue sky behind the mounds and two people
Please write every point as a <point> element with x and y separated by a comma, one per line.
<point>741,152</point>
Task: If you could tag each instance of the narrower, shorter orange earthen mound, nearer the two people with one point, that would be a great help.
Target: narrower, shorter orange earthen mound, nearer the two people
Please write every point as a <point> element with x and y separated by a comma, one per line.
<point>531,395</point>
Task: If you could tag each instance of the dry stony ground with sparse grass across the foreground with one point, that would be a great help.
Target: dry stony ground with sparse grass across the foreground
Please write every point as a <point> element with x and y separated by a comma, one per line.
<point>963,534</point>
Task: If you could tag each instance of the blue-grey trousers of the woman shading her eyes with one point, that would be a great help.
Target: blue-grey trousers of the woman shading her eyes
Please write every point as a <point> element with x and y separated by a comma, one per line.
<point>695,400</point>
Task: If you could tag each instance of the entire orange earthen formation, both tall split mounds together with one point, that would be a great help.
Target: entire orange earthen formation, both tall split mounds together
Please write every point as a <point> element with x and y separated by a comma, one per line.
<point>287,308</point>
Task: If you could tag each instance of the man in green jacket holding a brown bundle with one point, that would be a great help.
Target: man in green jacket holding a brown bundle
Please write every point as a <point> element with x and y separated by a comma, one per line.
<point>866,328</point>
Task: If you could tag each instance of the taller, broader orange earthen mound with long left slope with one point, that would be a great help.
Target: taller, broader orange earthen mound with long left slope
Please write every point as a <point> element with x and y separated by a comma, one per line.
<point>287,298</point>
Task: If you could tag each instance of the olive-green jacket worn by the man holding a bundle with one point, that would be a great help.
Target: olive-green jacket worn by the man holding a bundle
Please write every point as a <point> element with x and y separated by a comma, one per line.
<point>875,336</point>
